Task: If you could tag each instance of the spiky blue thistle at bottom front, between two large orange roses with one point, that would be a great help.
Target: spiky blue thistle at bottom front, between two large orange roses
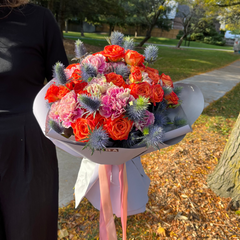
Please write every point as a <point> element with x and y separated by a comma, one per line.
<point>98,139</point>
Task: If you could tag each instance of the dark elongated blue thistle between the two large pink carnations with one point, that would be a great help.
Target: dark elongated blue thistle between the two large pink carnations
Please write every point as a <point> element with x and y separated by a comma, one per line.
<point>91,104</point>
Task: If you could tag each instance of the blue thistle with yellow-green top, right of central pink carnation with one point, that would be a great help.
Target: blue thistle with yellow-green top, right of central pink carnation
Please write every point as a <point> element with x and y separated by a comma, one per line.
<point>136,109</point>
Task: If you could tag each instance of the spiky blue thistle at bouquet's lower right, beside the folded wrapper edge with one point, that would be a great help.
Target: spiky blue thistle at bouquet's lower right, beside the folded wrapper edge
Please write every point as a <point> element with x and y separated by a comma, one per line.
<point>152,136</point>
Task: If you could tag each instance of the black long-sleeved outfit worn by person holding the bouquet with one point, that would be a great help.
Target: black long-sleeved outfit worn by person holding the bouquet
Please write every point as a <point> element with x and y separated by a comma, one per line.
<point>30,44</point>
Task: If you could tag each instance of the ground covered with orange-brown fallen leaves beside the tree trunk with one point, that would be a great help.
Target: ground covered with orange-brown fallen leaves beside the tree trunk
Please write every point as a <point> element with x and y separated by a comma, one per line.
<point>180,206</point>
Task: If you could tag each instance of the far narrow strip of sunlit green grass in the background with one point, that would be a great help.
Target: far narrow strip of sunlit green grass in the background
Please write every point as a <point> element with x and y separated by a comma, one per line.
<point>156,40</point>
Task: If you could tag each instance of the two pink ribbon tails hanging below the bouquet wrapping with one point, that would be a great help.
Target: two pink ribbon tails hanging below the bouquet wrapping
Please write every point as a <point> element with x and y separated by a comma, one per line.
<point>107,229</point>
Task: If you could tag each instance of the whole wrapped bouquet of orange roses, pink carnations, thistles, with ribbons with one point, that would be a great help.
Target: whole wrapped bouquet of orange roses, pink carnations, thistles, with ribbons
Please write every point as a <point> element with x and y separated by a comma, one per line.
<point>111,107</point>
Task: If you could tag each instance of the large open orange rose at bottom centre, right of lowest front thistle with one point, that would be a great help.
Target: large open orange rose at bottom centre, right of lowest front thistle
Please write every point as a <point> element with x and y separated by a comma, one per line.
<point>119,128</point>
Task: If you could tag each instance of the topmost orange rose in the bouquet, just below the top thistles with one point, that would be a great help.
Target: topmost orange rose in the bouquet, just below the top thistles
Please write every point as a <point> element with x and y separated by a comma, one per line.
<point>114,53</point>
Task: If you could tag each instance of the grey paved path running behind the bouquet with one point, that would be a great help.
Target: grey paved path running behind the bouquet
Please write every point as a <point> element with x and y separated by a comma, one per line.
<point>213,85</point>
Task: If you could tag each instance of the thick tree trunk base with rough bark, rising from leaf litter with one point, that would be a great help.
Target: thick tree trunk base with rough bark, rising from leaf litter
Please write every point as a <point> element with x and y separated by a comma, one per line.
<point>225,179</point>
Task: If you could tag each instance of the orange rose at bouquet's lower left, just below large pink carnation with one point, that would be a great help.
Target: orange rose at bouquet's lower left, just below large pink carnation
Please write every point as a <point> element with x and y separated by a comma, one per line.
<point>81,128</point>
